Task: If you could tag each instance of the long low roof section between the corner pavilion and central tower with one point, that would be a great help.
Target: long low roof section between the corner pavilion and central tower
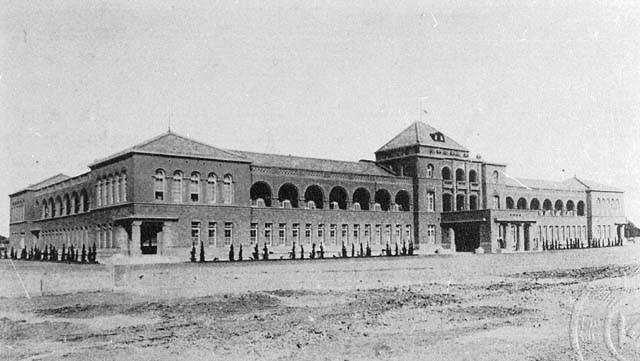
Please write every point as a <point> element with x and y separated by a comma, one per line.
<point>314,164</point>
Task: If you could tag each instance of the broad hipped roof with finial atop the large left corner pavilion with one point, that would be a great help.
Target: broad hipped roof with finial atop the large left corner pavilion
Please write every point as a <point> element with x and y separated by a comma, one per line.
<point>170,143</point>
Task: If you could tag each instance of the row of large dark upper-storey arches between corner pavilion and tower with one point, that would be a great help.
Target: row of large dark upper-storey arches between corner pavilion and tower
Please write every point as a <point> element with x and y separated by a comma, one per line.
<point>313,197</point>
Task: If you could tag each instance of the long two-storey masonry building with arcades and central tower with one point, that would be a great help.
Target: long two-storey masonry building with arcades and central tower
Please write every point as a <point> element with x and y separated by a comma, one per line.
<point>163,195</point>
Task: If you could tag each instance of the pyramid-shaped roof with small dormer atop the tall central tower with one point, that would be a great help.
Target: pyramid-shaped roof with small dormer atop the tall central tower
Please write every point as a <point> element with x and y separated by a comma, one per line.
<point>420,133</point>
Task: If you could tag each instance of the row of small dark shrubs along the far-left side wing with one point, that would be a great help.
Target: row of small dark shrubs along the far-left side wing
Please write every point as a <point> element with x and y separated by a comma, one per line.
<point>52,254</point>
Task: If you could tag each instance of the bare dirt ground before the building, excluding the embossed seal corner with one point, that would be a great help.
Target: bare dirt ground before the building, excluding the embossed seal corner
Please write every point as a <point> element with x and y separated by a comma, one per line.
<point>503,307</point>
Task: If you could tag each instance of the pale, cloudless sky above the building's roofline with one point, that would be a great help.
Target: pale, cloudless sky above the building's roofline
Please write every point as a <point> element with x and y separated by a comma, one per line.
<point>540,86</point>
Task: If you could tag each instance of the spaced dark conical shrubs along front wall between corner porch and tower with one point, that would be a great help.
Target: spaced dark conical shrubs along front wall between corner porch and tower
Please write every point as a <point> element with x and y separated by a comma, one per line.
<point>255,256</point>
